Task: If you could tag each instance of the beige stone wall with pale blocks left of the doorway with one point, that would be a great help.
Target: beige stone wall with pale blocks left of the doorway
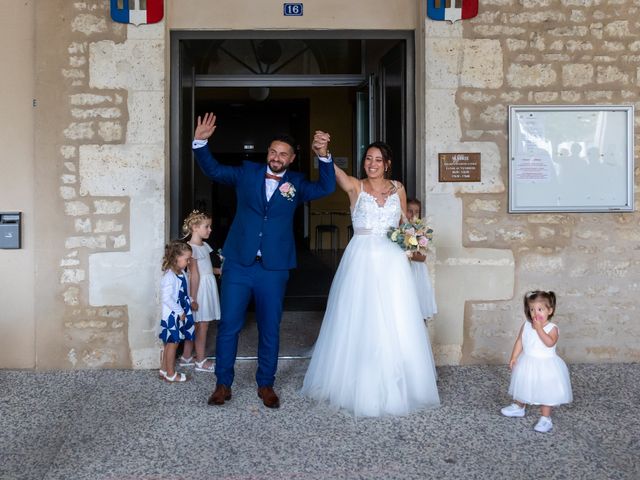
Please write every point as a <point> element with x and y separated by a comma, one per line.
<point>100,152</point>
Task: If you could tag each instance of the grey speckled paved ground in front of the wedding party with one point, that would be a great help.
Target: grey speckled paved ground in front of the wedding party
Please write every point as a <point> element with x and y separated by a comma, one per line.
<point>130,425</point>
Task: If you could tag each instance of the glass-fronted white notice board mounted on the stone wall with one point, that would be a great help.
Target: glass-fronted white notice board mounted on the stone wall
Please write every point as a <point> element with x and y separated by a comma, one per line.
<point>571,158</point>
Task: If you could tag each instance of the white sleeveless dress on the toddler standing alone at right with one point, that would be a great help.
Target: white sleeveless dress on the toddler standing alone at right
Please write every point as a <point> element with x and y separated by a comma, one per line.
<point>540,376</point>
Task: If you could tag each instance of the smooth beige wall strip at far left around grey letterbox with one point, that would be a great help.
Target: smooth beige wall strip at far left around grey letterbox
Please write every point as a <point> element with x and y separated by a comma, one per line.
<point>17,345</point>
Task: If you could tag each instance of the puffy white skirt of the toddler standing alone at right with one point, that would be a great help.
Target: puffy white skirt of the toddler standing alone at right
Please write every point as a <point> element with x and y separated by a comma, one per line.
<point>541,381</point>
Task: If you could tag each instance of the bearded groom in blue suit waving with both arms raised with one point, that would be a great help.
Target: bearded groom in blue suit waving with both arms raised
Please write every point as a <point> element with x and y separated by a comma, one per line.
<point>259,250</point>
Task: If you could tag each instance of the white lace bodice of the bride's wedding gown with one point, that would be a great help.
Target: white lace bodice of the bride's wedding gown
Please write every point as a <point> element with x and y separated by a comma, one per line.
<point>369,218</point>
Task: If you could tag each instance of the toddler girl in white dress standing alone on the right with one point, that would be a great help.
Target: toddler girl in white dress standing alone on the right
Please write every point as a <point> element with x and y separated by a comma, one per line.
<point>539,376</point>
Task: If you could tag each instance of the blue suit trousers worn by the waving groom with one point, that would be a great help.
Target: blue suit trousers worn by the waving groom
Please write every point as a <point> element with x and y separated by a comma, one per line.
<point>239,284</point>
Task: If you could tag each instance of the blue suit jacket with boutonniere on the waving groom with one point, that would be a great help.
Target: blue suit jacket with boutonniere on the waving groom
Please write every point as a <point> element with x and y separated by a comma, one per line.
<point>262,225</point>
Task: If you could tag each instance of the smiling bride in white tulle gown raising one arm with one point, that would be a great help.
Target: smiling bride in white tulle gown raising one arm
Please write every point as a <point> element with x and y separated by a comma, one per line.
<point>373,355</point>
